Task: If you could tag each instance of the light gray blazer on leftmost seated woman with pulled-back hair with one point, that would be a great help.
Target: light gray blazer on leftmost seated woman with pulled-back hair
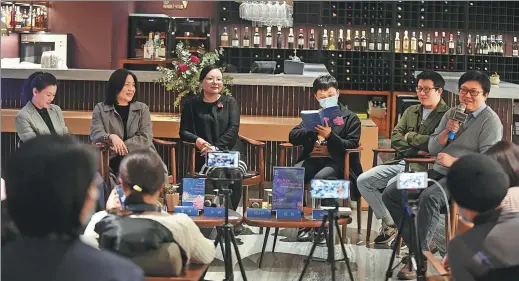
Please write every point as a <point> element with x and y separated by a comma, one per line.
<point>29,124</point>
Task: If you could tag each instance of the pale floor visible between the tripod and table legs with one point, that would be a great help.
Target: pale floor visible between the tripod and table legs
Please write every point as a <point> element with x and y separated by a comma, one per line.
<point>369,263</point>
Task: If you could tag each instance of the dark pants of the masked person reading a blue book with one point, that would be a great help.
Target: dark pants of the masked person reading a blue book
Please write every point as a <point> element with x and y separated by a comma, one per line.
<point>320,168</point>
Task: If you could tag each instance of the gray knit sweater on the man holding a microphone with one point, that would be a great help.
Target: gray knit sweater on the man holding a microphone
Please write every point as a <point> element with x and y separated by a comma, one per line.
<point>482,133</point>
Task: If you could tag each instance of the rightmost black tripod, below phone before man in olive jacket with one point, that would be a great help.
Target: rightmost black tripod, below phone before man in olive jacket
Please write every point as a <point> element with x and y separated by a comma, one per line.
<point>416,259</point>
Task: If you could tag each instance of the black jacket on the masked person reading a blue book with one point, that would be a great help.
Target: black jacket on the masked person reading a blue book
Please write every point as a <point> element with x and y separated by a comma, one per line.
<point>343,137</point>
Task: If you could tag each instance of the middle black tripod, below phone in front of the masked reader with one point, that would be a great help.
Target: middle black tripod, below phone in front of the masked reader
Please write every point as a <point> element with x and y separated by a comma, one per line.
<point>332,219</point>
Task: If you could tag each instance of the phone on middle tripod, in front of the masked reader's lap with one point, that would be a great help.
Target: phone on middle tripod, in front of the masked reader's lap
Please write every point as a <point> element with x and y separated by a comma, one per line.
<point>329,189</point>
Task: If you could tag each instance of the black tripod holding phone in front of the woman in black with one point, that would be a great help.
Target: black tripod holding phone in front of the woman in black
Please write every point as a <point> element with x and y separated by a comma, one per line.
<point>226,230</point>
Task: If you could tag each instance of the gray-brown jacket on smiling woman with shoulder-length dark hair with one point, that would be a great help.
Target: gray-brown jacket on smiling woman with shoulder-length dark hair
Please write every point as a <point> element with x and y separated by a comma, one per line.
<point>105,120</point>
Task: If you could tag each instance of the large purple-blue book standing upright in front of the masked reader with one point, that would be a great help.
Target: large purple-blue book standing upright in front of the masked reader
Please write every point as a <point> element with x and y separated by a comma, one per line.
<point>288,188</point>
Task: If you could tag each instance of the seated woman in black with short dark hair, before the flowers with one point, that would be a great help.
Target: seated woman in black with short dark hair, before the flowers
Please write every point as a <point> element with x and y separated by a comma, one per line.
<point>211,121</point>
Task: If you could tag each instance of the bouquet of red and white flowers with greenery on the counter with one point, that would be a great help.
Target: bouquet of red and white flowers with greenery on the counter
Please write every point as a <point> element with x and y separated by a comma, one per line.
<point>183,78</point>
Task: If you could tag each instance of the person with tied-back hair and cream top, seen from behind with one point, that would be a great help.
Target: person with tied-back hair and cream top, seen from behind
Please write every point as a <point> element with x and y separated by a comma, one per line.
<point>141,180</point>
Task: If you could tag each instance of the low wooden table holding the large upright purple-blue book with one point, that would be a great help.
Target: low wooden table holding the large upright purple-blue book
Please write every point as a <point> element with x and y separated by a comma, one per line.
<point>305,222</point>
